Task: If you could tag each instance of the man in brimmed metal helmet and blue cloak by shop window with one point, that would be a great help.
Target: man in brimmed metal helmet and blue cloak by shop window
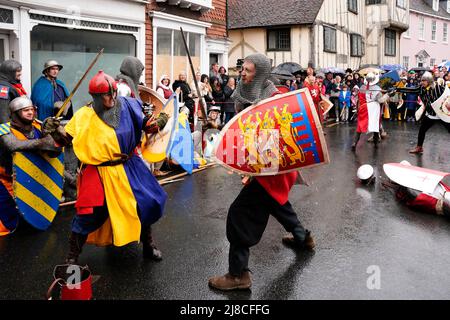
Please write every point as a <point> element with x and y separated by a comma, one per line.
<point>47,91</point>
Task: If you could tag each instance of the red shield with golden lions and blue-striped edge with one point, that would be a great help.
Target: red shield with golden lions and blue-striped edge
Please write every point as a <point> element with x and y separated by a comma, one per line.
<point>278,135</point>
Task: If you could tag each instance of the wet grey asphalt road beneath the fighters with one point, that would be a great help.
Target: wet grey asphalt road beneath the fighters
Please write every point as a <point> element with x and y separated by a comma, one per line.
<point>354,227</point>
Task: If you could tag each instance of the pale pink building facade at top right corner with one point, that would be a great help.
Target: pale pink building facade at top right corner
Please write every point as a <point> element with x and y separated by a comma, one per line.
<point>426,43</point>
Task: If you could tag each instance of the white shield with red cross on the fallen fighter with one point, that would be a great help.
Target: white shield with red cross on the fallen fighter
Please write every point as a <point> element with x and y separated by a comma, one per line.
<point>417,178</point>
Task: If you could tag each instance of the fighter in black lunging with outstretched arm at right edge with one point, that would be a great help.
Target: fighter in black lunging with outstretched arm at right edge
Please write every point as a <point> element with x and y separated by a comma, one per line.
<point>428,92</point>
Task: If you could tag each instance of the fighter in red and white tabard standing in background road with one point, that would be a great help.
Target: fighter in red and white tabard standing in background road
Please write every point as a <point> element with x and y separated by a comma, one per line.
<point>369,109</point>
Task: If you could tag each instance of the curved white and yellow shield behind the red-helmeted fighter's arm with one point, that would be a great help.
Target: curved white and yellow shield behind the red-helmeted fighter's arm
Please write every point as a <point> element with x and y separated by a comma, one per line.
<point>155,147</point>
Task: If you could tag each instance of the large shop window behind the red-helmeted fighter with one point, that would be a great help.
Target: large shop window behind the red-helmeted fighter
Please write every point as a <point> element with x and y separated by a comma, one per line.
<point>75,49</point>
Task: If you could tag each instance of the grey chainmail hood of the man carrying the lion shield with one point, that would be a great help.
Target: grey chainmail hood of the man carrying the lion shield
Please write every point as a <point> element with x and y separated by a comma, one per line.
<point>260,88</point>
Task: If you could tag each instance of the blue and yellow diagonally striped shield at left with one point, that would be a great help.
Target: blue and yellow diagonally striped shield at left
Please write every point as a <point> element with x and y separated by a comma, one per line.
<point>38,187</point>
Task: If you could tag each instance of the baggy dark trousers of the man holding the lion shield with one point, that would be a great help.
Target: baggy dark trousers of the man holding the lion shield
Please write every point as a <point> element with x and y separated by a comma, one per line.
<point>247,219</point>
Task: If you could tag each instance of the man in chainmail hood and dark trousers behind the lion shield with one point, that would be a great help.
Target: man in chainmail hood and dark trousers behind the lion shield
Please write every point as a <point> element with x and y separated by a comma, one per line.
<point>261,197</point>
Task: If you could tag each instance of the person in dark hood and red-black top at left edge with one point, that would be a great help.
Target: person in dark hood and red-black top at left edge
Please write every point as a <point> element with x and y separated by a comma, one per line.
<point>10,87</point>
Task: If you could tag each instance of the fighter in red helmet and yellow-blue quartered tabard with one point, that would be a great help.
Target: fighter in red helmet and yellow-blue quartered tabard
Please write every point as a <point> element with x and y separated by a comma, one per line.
<point>118,197</point>
